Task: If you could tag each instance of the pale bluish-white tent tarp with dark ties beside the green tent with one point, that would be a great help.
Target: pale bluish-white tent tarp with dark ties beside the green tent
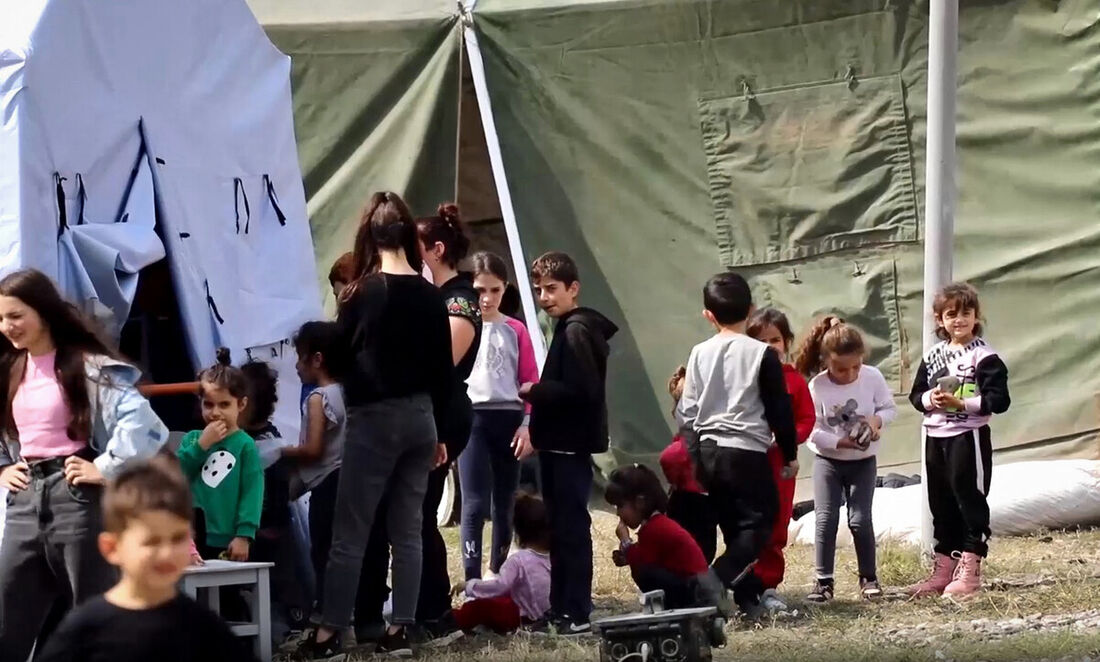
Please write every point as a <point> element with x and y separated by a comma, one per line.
<point>144,112</point>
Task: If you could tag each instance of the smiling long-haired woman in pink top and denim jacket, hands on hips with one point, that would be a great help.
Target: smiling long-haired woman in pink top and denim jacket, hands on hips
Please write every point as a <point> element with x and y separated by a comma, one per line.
<point>72,420</point>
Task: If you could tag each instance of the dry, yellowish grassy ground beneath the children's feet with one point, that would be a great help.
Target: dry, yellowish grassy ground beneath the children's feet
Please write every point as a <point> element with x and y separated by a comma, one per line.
<point>1049,575</point>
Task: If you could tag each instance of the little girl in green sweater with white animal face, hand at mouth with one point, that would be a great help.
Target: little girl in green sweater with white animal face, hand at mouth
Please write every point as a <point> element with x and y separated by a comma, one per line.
<point>224,468</point>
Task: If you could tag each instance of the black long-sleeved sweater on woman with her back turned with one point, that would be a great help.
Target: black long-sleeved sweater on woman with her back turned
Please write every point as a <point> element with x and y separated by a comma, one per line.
<point>399,339</point>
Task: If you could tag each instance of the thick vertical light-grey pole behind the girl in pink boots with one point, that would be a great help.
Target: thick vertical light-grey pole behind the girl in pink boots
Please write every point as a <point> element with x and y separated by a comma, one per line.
<point>940,186</point>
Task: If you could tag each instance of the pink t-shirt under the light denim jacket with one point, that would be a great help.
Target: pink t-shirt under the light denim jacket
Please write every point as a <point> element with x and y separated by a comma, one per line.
<point>41,413</point>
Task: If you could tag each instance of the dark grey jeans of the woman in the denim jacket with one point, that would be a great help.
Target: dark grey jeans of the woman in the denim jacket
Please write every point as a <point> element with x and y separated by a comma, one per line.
<point>49,554</point>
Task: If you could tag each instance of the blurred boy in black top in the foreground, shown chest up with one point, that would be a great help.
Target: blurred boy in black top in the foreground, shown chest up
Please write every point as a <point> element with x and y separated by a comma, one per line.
<point>147,535</point>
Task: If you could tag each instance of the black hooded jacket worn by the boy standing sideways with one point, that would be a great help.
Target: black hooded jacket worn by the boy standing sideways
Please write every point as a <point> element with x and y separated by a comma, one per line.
<point>569,405</point>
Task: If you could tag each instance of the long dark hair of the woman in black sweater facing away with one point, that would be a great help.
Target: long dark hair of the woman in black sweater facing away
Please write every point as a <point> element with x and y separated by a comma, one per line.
<point>387,225</point>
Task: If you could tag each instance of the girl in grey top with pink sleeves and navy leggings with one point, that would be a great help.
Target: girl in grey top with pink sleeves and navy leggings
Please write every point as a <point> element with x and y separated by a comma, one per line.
<point>489,469</point>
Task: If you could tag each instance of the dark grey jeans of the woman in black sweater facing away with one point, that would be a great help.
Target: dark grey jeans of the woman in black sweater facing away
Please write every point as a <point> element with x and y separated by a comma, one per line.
<point>390,450</point>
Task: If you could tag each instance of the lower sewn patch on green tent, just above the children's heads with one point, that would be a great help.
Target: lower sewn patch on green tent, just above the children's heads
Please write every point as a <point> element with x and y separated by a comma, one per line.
<point>863,291</point>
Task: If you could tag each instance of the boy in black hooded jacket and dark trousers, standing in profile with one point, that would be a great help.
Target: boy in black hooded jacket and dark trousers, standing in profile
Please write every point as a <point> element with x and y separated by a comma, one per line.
<point>568,426</point>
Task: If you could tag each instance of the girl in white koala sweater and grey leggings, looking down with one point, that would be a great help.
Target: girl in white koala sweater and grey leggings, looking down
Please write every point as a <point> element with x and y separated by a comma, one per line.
<point>853,403</point>
